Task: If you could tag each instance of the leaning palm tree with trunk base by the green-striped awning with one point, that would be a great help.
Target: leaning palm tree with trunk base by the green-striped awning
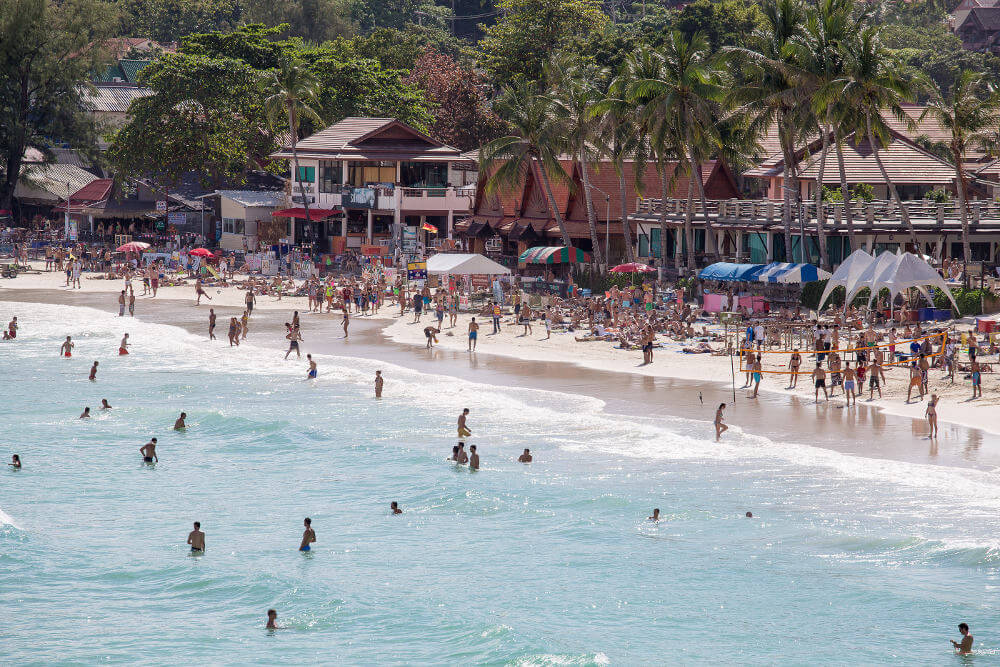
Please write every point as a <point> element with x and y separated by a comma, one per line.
<point>533,145</point>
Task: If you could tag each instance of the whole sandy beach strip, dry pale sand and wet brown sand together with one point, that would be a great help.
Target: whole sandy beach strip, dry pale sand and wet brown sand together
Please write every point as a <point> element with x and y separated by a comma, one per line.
<point>676,384</point>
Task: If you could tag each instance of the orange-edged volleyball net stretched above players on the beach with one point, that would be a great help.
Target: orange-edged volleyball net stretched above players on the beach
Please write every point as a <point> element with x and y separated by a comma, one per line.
<point>779,362</point>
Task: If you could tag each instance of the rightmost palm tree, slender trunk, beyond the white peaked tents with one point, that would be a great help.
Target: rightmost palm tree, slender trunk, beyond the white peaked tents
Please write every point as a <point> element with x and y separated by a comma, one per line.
<point>969,112</point>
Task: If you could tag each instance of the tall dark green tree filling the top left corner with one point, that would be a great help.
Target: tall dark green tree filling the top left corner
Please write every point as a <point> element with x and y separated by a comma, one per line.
<point>46,49</point>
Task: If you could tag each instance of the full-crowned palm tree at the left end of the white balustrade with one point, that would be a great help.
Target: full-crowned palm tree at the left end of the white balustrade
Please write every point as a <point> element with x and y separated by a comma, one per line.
<point>685,100</point>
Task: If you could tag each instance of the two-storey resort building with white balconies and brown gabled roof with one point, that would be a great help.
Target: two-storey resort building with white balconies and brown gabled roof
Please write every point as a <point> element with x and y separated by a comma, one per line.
<point>375,182</point>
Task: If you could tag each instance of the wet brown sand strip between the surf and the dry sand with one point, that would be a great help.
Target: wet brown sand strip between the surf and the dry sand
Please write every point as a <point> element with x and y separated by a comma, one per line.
<point>863,430</point>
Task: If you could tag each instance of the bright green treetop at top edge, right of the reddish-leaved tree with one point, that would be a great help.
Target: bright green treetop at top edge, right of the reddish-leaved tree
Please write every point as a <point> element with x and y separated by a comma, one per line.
<point>530,31</point>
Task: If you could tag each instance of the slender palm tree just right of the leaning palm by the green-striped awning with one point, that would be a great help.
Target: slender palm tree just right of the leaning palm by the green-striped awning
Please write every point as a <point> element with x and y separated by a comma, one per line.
<point>573,97</point>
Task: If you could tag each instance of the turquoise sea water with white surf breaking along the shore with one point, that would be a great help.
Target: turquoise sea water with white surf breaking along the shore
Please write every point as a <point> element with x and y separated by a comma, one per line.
<point>848,560</point>
